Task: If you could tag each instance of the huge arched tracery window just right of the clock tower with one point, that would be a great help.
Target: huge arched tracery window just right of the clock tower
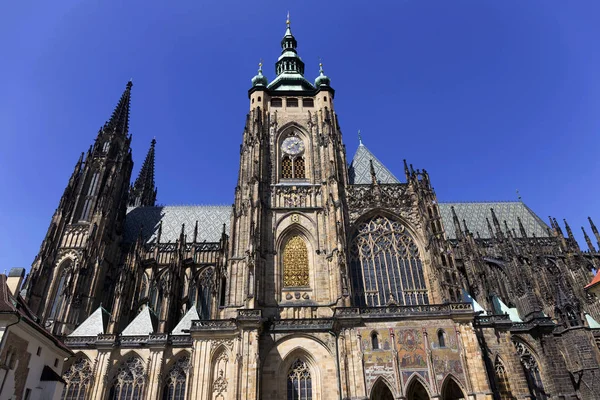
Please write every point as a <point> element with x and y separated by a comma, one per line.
<point>385,265</point>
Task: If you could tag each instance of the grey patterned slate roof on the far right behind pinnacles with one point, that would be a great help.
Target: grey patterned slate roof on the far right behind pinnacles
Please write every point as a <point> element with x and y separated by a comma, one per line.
<point>475,215</point>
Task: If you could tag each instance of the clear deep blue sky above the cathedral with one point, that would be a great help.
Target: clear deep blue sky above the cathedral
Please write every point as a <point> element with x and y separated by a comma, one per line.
<point>488,96</point>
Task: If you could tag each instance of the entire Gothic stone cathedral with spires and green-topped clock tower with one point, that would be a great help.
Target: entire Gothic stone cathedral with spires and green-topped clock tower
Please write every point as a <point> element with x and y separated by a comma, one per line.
<point>325,279</point>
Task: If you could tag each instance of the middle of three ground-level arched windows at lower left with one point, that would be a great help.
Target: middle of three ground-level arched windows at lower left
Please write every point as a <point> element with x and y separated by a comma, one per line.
<point>130,381</point>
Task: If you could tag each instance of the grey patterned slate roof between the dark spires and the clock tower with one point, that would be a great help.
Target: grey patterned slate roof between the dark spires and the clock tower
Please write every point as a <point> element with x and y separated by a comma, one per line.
<point>210,222</point>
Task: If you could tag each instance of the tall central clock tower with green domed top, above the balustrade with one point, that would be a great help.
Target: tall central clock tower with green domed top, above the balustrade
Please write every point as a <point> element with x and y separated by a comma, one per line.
<point>288,247</point>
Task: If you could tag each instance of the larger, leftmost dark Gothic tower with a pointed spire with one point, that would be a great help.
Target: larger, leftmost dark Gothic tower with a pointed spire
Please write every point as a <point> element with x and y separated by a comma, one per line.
<point>74,268</point>
